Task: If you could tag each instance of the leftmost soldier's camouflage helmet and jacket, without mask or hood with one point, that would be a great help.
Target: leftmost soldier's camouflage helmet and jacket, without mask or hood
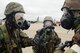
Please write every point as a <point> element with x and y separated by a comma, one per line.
<point>11,41</point>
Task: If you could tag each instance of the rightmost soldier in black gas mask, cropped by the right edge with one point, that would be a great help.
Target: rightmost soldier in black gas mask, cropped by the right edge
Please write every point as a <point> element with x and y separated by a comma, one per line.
<point>71,20</point>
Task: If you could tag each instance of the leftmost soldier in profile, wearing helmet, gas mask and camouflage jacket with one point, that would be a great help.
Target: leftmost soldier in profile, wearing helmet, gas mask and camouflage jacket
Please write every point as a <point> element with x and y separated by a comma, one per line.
<point>12,39</point>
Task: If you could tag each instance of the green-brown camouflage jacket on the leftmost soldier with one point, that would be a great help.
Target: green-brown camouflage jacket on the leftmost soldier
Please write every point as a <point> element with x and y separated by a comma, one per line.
<point>13,42</point>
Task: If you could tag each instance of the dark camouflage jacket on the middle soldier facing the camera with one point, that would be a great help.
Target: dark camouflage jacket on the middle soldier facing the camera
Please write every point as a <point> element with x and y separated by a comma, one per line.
<point>46,44</point>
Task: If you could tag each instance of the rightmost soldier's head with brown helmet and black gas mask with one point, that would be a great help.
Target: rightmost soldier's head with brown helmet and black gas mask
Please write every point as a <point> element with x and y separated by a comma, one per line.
<point>70,18</point>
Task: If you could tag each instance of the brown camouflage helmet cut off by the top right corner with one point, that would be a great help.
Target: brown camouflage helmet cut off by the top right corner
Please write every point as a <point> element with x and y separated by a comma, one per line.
<point>72,4</point>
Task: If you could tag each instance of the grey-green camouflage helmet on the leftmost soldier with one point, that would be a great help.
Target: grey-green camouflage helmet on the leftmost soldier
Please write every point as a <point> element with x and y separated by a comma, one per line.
<point>13,7</point>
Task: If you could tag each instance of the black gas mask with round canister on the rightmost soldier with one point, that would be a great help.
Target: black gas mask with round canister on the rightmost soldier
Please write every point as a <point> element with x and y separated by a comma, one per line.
<point>67,19</point>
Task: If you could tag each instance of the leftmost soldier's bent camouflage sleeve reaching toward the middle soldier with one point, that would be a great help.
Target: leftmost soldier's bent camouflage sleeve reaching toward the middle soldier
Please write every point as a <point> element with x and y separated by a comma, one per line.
<point>25,40</point>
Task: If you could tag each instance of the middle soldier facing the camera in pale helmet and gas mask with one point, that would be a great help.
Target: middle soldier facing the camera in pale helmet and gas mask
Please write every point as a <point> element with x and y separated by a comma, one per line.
<point>46,39</point>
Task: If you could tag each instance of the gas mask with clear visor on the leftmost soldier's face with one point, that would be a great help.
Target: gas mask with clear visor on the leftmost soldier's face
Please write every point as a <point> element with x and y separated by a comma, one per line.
<point>20,22</point>
